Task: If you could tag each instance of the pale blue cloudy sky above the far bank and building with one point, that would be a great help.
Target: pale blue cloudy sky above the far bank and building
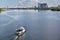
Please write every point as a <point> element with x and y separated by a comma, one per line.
<point>5,3</point>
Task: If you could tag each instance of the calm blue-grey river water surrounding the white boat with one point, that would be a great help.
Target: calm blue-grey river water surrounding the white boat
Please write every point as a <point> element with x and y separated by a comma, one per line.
<point>40,25</point>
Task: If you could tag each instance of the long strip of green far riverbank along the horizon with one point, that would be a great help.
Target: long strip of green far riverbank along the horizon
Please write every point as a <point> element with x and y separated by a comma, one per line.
<point>49,8</point>
